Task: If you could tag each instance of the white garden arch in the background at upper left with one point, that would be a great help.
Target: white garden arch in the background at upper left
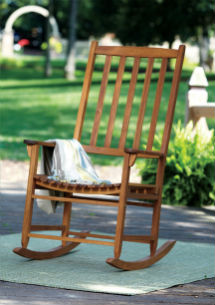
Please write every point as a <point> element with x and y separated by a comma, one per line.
<point>8,37</point>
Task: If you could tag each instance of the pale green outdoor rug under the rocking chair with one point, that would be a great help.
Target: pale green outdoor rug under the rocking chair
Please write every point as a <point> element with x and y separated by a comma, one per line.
<point>85,268</point>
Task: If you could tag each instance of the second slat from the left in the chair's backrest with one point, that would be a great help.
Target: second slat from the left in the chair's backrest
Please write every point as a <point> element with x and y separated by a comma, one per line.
<point>115,100</point>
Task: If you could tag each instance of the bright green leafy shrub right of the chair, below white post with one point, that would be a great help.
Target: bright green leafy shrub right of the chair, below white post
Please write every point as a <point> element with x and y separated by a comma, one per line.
<point>190,167</point>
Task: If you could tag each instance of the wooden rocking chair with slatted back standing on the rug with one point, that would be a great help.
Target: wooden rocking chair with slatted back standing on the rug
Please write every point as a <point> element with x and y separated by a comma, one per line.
<point>124,193</point>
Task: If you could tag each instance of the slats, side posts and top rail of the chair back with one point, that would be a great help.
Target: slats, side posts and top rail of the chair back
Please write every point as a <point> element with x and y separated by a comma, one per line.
<point>143,53</point>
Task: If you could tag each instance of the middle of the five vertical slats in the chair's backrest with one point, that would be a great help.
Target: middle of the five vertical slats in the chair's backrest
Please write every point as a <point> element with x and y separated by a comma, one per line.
<point>129,103</point>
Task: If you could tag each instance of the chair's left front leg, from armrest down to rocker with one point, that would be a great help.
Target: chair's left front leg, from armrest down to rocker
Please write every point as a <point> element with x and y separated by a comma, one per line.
<point>33,153</point>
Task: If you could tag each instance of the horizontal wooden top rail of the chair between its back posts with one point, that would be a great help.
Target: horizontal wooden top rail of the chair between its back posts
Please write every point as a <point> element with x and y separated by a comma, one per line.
<point>136,52</point>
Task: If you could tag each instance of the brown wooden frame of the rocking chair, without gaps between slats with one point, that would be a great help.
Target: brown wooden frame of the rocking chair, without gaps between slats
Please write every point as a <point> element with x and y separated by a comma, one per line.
<point>127,193</point>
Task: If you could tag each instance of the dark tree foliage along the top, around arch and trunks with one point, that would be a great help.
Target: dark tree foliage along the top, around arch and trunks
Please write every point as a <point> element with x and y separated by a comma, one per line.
<point>133,21</point>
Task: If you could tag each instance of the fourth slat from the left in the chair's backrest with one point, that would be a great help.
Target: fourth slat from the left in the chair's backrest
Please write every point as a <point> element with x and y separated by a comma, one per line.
<point>144,98</point>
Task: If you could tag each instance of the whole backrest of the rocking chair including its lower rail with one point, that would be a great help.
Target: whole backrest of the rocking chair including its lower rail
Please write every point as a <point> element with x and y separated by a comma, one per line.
<point>145,63</point>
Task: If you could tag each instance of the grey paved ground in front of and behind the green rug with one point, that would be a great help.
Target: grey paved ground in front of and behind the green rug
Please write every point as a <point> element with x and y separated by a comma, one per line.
<point>178,223</point>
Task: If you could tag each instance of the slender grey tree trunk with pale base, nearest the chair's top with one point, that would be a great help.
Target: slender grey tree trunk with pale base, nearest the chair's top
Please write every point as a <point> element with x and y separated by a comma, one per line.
<point>70,63</point>
